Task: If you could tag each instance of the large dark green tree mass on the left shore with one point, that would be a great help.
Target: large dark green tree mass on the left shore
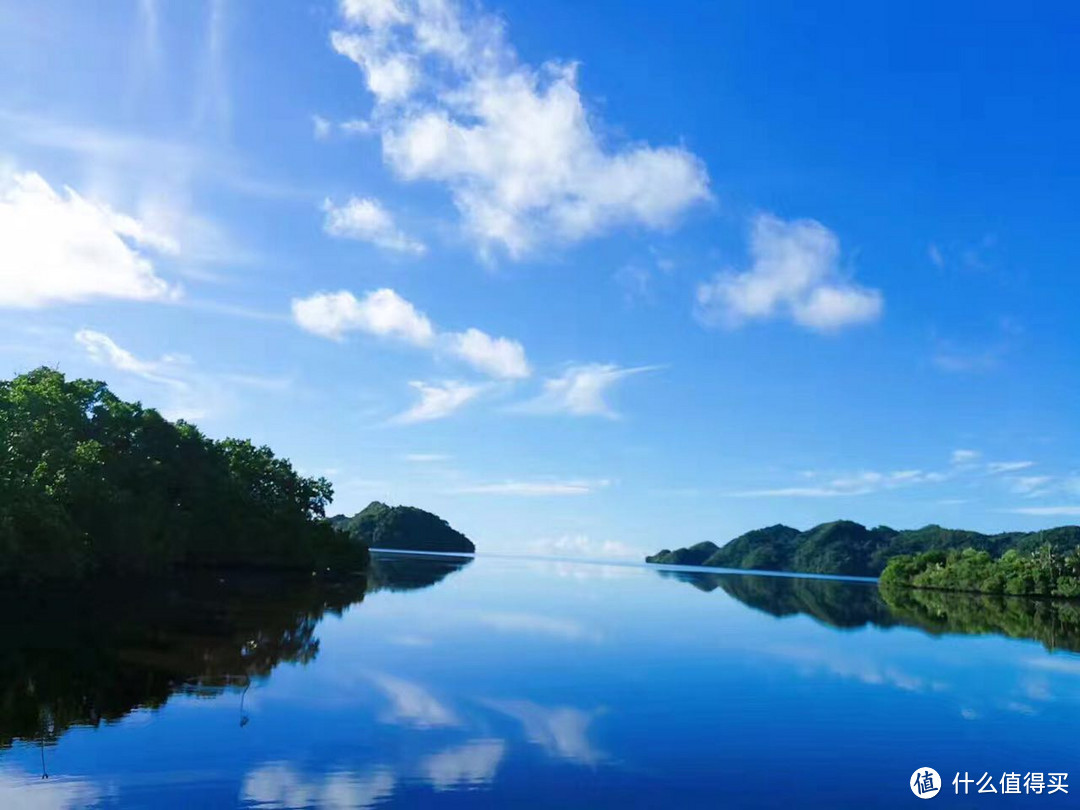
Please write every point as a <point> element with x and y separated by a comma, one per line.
<point>92,484</point>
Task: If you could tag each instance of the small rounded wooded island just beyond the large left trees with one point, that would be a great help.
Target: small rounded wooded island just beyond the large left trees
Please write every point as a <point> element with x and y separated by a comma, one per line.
<point>406,529</point>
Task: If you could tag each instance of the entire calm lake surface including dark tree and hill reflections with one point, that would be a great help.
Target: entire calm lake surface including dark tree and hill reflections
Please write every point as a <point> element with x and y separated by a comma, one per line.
<point>519,684</point>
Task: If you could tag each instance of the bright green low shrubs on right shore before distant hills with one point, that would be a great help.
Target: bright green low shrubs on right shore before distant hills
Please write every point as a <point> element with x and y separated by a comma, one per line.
<point>1044,573</point>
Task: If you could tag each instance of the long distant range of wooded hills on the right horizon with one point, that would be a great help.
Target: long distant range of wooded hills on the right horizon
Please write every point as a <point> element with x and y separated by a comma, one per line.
<point>848,548</point>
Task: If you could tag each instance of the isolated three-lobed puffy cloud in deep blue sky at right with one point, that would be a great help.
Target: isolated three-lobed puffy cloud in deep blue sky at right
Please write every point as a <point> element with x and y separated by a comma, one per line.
<point>795,275</point>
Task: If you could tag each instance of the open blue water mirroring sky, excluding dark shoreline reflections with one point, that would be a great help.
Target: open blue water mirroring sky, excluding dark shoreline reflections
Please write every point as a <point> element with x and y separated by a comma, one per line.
<point>531,684</point>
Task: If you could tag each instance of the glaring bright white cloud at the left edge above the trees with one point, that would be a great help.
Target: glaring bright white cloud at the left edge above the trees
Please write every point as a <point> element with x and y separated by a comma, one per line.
<point>60,249</point>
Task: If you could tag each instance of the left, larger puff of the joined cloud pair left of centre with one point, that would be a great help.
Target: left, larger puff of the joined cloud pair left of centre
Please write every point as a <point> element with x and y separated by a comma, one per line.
<point>382,313</point>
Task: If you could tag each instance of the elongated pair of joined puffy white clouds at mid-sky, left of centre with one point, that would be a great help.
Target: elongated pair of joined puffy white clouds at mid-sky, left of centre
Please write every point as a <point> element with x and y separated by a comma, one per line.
<point>385,314</point>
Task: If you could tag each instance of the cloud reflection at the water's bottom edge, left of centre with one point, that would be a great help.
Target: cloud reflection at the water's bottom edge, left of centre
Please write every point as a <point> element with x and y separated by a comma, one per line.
<point>280,787</point>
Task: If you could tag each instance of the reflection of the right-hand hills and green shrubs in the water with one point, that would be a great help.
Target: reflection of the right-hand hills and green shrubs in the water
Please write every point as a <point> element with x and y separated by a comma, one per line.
<point>849,605</point>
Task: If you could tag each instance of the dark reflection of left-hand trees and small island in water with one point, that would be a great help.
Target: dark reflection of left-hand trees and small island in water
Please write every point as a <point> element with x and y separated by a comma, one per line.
<point>94,654</point>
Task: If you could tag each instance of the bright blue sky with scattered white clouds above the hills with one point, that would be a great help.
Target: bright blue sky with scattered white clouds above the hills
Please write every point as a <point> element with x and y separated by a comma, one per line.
<point>585,279</point>
